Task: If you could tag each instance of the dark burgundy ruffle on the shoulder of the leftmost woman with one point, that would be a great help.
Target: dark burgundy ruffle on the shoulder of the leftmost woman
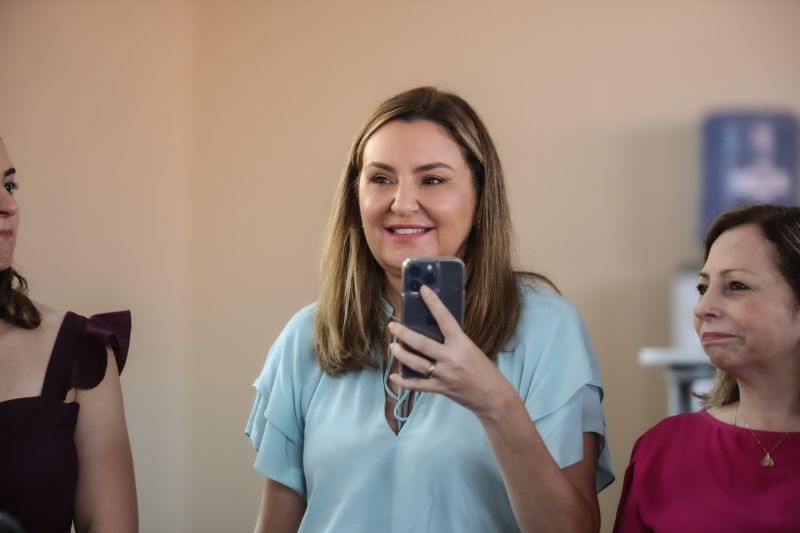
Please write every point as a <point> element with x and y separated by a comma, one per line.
<point>106,329</point>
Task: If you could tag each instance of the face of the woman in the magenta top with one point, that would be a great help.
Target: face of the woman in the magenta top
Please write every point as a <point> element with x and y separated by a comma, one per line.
<point>746,317</point>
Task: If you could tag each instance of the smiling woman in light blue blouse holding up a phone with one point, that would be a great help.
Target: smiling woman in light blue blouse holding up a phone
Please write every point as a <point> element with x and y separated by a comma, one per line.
<point>504,431</point>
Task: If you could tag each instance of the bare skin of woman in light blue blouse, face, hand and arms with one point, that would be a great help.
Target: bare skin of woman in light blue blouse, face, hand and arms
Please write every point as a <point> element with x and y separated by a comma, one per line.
<point>415,176</point>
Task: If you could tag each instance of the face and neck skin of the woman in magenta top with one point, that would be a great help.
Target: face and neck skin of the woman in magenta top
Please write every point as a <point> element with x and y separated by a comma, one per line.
<point>748,322</point>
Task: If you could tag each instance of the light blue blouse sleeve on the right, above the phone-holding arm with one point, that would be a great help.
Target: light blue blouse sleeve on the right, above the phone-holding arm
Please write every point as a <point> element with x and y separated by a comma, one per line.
<point>553,366</point>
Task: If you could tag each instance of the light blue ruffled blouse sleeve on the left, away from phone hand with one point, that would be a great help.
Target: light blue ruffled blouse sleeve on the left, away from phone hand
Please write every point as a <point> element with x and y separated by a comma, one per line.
<point>283,391</point>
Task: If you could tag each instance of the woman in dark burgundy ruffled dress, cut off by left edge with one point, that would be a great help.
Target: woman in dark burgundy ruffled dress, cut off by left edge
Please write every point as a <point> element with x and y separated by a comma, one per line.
<point>64,451</point>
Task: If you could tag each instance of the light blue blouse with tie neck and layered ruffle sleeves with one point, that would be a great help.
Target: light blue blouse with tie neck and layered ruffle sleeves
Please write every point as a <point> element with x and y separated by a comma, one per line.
<point>328,439</point>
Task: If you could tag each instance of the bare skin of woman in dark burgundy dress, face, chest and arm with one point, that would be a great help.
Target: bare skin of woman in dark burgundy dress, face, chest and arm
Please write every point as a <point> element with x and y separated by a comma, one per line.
<point>106,493</point>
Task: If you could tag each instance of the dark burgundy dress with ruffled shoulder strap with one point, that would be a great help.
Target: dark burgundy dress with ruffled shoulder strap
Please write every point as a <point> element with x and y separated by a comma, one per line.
<point>38,460</point>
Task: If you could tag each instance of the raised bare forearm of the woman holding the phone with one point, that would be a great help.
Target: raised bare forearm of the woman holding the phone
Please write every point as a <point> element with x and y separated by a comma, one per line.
<point>542,497</point>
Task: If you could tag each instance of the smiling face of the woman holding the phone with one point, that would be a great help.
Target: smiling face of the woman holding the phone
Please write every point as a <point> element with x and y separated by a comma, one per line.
<point>415,194</point>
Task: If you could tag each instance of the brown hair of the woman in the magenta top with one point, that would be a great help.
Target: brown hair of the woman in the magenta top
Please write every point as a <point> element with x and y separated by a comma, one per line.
<point>780,225</point>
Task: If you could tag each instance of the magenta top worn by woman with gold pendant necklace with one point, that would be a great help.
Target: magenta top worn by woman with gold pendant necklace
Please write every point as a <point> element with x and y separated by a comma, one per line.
<point>692,472</point>
